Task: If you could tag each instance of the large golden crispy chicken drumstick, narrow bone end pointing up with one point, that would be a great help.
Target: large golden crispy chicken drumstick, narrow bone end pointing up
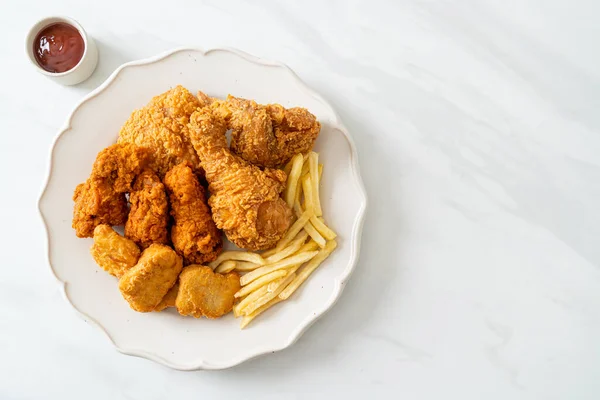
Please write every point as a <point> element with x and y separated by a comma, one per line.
<point>244,199</point>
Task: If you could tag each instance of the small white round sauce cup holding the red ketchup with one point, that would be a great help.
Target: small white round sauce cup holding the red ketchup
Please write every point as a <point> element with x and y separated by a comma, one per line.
<point>79,72</point>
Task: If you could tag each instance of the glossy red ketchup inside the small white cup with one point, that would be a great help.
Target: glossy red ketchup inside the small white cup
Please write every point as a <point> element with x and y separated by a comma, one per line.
<point>58,47</point>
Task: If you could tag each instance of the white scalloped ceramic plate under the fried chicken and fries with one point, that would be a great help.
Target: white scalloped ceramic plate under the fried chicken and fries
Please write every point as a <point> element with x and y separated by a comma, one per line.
<point>182,342</point>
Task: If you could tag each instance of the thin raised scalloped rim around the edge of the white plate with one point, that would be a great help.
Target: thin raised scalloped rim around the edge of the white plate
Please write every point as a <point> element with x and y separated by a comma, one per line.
<point>355,238</point>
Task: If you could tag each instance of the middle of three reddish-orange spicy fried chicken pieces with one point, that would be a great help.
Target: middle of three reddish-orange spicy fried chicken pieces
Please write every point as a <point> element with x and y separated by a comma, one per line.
<point>149,213</point>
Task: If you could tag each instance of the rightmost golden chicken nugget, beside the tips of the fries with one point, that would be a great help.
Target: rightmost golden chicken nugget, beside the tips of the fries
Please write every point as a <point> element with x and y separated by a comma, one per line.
<point>203,292</point>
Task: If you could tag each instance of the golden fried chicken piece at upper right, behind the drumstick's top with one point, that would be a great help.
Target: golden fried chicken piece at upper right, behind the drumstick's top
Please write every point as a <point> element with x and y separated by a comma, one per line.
<point>266,135</point>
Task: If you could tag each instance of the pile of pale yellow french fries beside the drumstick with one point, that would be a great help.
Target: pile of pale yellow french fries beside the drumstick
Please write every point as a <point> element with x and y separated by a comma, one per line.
<point>274,275</point>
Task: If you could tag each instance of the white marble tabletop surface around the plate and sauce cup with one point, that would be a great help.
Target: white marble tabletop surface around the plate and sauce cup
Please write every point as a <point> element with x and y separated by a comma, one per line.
<point>478,130</point>
